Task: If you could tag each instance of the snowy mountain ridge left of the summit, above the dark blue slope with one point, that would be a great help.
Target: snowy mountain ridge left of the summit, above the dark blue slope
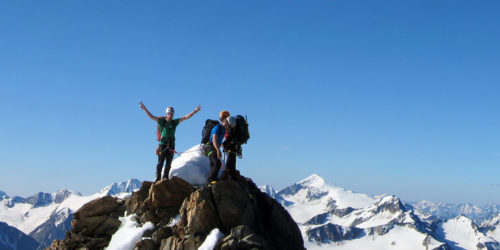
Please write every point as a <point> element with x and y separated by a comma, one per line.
<point>46,217</point>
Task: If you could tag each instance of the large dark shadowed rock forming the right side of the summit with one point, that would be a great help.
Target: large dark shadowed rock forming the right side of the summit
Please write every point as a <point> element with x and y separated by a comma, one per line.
<point>241,202</point>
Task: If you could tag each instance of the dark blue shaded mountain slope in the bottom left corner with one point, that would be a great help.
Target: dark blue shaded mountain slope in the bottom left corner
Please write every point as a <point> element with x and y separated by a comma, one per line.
<point>11,239</point>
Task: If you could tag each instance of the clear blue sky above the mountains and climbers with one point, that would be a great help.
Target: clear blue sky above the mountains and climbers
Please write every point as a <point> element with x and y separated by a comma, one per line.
<point>397,97</point>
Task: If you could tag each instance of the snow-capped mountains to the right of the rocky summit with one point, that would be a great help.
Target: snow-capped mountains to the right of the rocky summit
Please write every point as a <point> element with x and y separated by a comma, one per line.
<point>334,218</point>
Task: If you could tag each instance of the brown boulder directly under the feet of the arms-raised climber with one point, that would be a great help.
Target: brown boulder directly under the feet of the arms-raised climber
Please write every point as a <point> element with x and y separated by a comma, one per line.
<point>168,193</point>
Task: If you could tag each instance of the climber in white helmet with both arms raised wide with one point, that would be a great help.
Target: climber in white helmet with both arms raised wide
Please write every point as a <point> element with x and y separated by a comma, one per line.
<point>166,147</point>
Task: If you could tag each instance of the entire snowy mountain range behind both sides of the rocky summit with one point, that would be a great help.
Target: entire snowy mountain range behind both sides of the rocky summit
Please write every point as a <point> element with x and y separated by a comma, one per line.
<point>329,217</point>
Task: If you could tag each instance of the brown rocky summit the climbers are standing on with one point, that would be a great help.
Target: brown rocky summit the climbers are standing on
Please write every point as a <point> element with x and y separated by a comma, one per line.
<point>248,218</point>
